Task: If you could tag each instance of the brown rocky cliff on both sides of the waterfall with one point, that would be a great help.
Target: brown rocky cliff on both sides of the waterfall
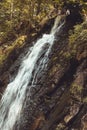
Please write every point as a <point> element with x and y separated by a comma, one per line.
<point>59,102</point>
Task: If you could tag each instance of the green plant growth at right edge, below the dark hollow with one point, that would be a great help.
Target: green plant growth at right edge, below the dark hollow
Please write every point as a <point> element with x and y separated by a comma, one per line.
<point>78,41</point>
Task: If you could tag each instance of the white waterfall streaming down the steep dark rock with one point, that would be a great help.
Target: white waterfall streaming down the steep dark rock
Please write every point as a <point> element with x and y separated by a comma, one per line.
<point>13,98</point>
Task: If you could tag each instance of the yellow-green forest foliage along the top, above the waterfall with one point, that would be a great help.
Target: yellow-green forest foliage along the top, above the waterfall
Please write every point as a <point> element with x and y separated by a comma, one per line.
<point>14,13</point>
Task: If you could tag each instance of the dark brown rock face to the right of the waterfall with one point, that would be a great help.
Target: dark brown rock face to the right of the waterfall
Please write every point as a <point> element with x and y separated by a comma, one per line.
<point>59,101</point>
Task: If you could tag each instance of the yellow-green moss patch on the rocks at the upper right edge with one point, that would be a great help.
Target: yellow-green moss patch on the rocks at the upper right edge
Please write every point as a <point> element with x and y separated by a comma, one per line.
<point>77,41</point>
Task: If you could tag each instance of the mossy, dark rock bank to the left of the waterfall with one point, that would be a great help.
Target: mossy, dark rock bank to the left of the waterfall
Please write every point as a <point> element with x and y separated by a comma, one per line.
<point>12,52</point>
